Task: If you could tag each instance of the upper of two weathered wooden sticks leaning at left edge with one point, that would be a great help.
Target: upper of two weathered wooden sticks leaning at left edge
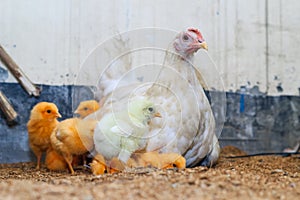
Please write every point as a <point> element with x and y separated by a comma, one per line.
<point>15,70</point>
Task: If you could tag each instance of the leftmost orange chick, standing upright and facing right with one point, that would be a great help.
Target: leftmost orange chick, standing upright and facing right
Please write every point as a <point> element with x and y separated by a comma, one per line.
<point>43,119</point>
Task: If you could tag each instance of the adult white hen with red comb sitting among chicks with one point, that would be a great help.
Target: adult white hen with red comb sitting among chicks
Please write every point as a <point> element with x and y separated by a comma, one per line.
<point>188,127</point>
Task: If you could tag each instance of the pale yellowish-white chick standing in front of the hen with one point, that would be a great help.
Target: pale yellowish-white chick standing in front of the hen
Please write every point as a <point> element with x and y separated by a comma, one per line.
<point>120,134</point>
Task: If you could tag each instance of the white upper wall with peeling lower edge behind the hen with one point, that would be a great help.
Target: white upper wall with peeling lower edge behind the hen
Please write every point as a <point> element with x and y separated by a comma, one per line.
<point>253,43</point>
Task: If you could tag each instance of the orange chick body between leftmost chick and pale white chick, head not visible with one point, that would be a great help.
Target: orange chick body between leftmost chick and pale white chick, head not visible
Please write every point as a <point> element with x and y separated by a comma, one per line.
<point>73,137</point>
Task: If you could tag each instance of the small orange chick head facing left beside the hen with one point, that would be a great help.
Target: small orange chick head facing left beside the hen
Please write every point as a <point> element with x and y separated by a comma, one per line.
<point>87,107</point>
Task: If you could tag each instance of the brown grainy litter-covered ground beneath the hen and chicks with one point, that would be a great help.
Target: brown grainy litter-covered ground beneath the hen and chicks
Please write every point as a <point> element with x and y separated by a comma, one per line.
<point>261,177</point>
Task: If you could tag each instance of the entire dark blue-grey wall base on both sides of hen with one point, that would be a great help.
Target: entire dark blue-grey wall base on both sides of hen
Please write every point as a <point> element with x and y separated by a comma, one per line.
<point>254,123</point>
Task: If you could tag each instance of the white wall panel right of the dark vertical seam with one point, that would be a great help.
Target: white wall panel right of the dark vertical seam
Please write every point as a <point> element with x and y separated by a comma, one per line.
<point>284,47</point>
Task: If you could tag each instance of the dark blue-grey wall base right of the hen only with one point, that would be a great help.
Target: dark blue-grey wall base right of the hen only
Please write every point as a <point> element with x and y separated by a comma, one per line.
<point>258,123</point>
